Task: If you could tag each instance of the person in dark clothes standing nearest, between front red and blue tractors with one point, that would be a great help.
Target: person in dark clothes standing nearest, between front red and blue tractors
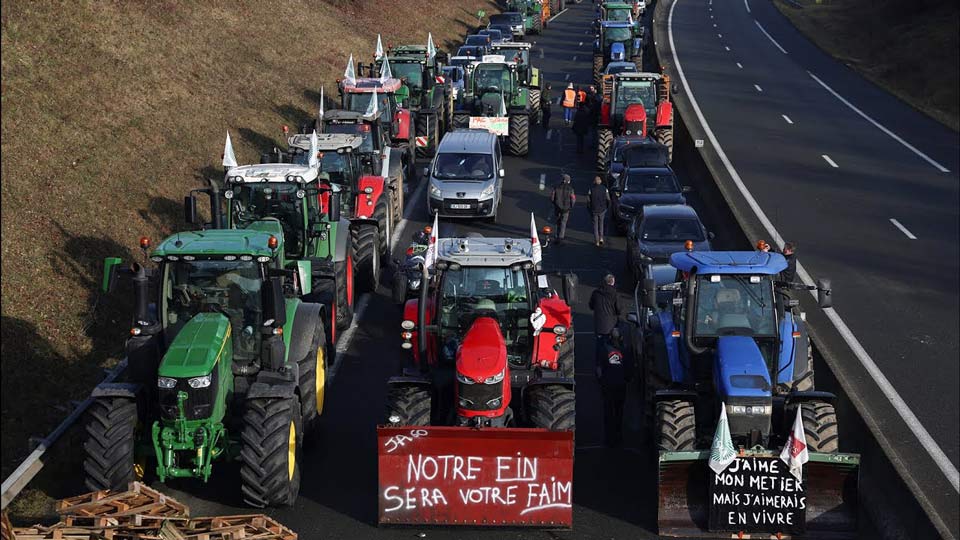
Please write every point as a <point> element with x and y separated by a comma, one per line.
<point>614,370</point>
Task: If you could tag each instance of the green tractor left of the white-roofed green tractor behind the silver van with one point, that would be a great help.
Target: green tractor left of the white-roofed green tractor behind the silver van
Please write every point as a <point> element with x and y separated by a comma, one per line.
<point>424,92</point>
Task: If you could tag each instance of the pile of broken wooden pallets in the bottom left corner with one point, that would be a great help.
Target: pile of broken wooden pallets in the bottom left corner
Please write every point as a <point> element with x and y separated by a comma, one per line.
<point>142,513</point>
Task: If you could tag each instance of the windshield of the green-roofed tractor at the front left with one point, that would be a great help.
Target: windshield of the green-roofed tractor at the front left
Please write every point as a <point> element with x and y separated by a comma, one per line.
<point>215,286</point>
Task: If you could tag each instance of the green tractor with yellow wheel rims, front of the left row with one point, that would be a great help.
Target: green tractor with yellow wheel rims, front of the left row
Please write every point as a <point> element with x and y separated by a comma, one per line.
<point>225,362</point>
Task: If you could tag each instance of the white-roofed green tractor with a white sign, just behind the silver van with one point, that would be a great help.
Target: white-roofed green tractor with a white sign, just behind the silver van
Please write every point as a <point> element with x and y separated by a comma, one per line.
<point>498,102</point>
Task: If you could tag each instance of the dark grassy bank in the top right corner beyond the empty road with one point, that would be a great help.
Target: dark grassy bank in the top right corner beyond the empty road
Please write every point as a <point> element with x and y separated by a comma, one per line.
<point>909,48</point>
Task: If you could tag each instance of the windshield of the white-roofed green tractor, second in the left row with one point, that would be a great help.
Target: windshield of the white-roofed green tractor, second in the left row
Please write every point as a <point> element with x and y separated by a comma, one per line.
<point>256,201</point>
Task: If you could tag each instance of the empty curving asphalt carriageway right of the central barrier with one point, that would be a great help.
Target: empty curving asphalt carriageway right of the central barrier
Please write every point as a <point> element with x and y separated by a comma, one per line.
<point>866,185</point>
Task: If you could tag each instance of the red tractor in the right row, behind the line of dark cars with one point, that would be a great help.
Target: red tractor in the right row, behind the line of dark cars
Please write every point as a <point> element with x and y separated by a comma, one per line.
<point>622,91</point>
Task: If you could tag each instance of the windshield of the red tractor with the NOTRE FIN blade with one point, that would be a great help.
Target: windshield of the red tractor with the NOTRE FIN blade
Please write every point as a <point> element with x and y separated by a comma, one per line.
<point>476,291</point>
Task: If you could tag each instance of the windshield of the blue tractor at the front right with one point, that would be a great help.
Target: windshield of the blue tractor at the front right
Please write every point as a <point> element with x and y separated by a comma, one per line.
<point>735,305</point>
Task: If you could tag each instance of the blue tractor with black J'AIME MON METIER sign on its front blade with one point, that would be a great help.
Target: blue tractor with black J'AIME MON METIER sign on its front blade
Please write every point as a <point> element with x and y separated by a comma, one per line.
<point>733,339</point>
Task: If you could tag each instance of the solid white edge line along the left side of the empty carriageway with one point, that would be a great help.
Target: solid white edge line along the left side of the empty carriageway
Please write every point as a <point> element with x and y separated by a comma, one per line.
<point>909,418</point>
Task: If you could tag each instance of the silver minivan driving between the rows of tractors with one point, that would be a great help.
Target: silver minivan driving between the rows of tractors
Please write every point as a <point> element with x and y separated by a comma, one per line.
<point>465,178</point>
